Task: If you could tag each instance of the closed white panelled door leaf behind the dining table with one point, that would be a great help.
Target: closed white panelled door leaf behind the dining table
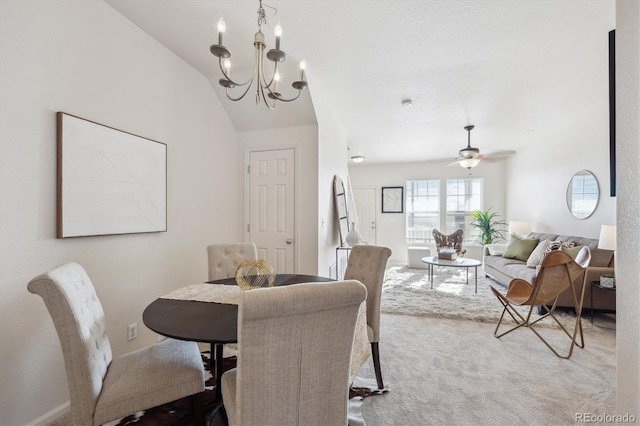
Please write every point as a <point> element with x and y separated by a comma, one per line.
<point>271,207</point>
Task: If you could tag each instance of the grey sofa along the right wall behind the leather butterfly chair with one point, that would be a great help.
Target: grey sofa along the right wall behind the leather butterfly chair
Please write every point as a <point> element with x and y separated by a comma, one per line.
<point>503,269</point>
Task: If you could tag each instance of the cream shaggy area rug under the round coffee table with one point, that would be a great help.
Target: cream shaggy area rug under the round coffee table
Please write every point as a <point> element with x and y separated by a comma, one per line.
<point>408,291</point>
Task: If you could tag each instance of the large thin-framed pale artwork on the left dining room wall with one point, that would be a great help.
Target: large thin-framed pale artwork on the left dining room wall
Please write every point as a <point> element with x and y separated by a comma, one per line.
<point>109,181</point>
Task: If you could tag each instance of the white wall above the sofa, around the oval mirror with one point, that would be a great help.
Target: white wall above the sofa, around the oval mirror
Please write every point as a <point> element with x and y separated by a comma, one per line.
<point>541,171</point>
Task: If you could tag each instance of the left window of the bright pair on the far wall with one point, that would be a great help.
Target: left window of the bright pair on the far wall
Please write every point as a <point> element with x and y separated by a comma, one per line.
<point>423,209</point>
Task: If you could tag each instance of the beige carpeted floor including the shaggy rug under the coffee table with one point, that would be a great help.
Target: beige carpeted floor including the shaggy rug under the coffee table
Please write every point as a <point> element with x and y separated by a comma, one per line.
<point>444,366</point>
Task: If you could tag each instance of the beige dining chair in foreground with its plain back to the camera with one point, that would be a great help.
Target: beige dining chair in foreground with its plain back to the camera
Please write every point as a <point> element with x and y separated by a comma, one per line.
<point>295,355</point>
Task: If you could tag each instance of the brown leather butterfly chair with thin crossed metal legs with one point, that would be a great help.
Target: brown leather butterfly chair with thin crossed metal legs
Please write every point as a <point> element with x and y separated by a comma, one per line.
<point>556,275</point>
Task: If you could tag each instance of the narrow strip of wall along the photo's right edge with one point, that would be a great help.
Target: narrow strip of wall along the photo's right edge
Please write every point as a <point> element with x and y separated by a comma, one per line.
<point>628,226</point>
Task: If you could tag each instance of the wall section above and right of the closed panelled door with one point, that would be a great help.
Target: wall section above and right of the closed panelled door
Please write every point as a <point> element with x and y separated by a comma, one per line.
<point>304,140</point>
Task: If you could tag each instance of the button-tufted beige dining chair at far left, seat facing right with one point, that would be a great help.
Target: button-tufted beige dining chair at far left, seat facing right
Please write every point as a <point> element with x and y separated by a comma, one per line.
<point>103,388</point>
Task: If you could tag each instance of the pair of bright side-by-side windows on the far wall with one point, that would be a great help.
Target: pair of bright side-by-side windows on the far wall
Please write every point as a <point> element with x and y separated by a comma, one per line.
<point>457,199</point>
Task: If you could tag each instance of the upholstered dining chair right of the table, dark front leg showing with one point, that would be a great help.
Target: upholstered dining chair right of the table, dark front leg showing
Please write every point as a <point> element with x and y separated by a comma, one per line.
<point>367,265</point>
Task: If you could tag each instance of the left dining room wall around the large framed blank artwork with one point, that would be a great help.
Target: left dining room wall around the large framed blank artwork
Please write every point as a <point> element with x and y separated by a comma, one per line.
<point>84,58</point>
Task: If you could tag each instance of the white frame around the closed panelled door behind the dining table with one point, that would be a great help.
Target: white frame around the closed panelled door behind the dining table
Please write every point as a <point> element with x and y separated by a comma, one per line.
<point>296,195</point>
